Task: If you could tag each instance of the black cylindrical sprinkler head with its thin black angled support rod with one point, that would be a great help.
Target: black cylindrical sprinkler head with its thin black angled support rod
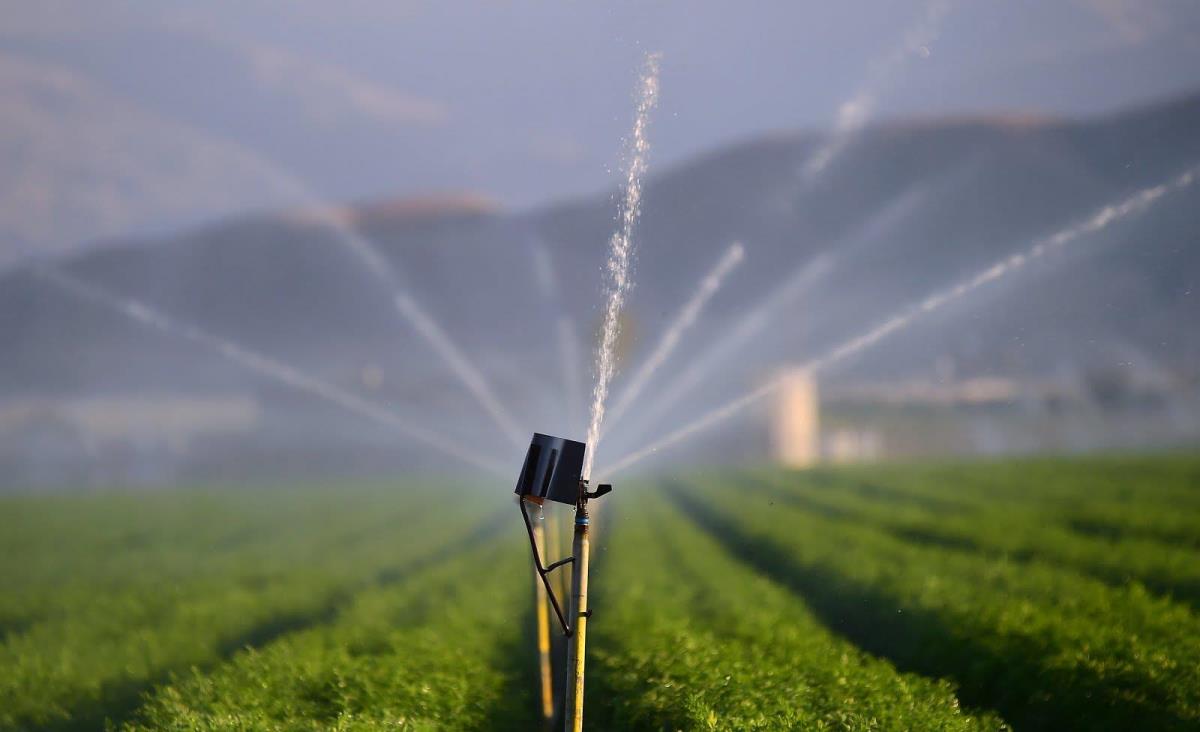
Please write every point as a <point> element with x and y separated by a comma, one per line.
<point>553,471</point>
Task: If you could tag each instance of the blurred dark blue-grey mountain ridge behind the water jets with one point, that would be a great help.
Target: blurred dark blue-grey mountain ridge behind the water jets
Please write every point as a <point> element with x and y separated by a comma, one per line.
<point>908,209</point>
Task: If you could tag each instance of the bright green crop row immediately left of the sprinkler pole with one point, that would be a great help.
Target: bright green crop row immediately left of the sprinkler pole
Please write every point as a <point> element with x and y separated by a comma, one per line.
<point>448,649</point>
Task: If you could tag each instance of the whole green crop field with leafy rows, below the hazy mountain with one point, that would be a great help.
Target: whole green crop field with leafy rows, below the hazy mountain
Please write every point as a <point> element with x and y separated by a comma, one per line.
<point>1048,595</point>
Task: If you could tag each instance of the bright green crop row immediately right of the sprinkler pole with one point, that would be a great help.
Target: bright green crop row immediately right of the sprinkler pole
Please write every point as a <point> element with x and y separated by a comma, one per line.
<point>688,638</point>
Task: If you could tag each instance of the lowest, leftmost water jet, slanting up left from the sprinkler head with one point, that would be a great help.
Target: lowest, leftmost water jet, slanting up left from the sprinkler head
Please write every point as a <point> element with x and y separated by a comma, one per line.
<point>146,315</point>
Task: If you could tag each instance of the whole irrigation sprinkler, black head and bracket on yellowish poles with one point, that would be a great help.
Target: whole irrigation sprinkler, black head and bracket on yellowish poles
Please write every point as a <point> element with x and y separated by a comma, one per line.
<point>554,471</point>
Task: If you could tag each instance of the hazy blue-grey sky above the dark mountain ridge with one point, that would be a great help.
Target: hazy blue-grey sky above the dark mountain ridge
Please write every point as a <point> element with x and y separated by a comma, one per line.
<point>128,116</point>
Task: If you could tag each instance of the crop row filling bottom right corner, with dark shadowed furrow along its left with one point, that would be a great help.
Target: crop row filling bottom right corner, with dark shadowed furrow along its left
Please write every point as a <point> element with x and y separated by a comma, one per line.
<point>1046,646</point>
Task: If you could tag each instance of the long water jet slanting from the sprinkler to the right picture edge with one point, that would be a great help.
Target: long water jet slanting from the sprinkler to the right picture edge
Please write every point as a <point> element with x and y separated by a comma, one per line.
<point>1131,206</point>
